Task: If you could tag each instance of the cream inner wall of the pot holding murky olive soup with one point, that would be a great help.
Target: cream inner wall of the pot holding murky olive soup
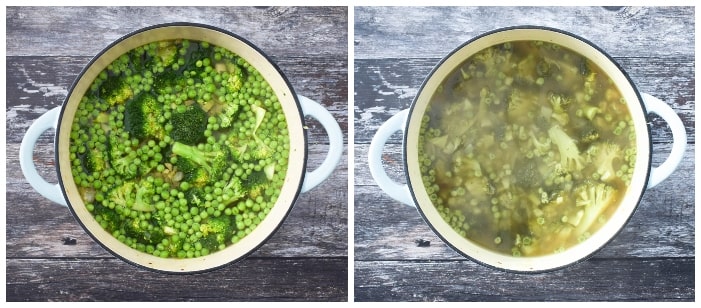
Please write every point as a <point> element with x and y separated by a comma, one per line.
<point>514,262</point>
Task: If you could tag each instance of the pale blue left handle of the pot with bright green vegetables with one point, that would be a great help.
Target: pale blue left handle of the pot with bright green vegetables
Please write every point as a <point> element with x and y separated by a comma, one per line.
<point>26,156</point>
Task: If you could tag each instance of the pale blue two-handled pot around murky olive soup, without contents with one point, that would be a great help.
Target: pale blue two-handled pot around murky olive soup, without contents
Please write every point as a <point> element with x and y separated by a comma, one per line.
<point>414,192</point>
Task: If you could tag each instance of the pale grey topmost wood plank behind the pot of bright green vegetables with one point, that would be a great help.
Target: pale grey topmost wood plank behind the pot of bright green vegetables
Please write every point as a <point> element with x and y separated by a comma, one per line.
<point>84,31</point>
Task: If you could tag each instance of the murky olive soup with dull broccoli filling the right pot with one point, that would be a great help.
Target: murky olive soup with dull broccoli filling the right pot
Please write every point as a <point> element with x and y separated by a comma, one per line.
<point>526,148</point>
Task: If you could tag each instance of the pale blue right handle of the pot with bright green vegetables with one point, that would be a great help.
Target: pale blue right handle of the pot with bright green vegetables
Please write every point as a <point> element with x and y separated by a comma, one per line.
<point>333,131</point>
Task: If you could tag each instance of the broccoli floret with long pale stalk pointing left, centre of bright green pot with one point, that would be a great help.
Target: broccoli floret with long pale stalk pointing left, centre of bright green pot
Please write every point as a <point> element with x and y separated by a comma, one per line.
<point>212,158</point>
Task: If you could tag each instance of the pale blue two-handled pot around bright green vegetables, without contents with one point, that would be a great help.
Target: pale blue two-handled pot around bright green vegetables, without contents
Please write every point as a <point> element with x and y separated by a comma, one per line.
<point>297,180</point>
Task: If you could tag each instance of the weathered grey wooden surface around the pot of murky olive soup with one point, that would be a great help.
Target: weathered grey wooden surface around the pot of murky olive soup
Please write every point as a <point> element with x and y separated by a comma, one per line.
<point>652,259</point>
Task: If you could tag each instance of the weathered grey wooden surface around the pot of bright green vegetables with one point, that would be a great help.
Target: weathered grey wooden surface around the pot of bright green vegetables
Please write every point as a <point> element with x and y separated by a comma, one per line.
<point>305,260</point>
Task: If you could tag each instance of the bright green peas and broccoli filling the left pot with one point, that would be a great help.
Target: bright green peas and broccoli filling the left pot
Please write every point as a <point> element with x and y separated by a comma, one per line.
<point>179,148</point>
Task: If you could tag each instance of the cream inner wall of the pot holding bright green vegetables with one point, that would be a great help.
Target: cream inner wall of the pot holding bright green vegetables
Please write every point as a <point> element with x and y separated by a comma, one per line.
<point>297,147</point>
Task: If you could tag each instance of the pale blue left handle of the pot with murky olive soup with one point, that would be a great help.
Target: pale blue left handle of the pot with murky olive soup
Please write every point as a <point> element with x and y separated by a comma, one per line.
<point>399,192</point>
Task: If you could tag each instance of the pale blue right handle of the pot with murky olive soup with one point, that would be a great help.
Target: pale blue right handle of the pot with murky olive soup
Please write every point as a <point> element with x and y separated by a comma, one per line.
<point>656,106</point>
